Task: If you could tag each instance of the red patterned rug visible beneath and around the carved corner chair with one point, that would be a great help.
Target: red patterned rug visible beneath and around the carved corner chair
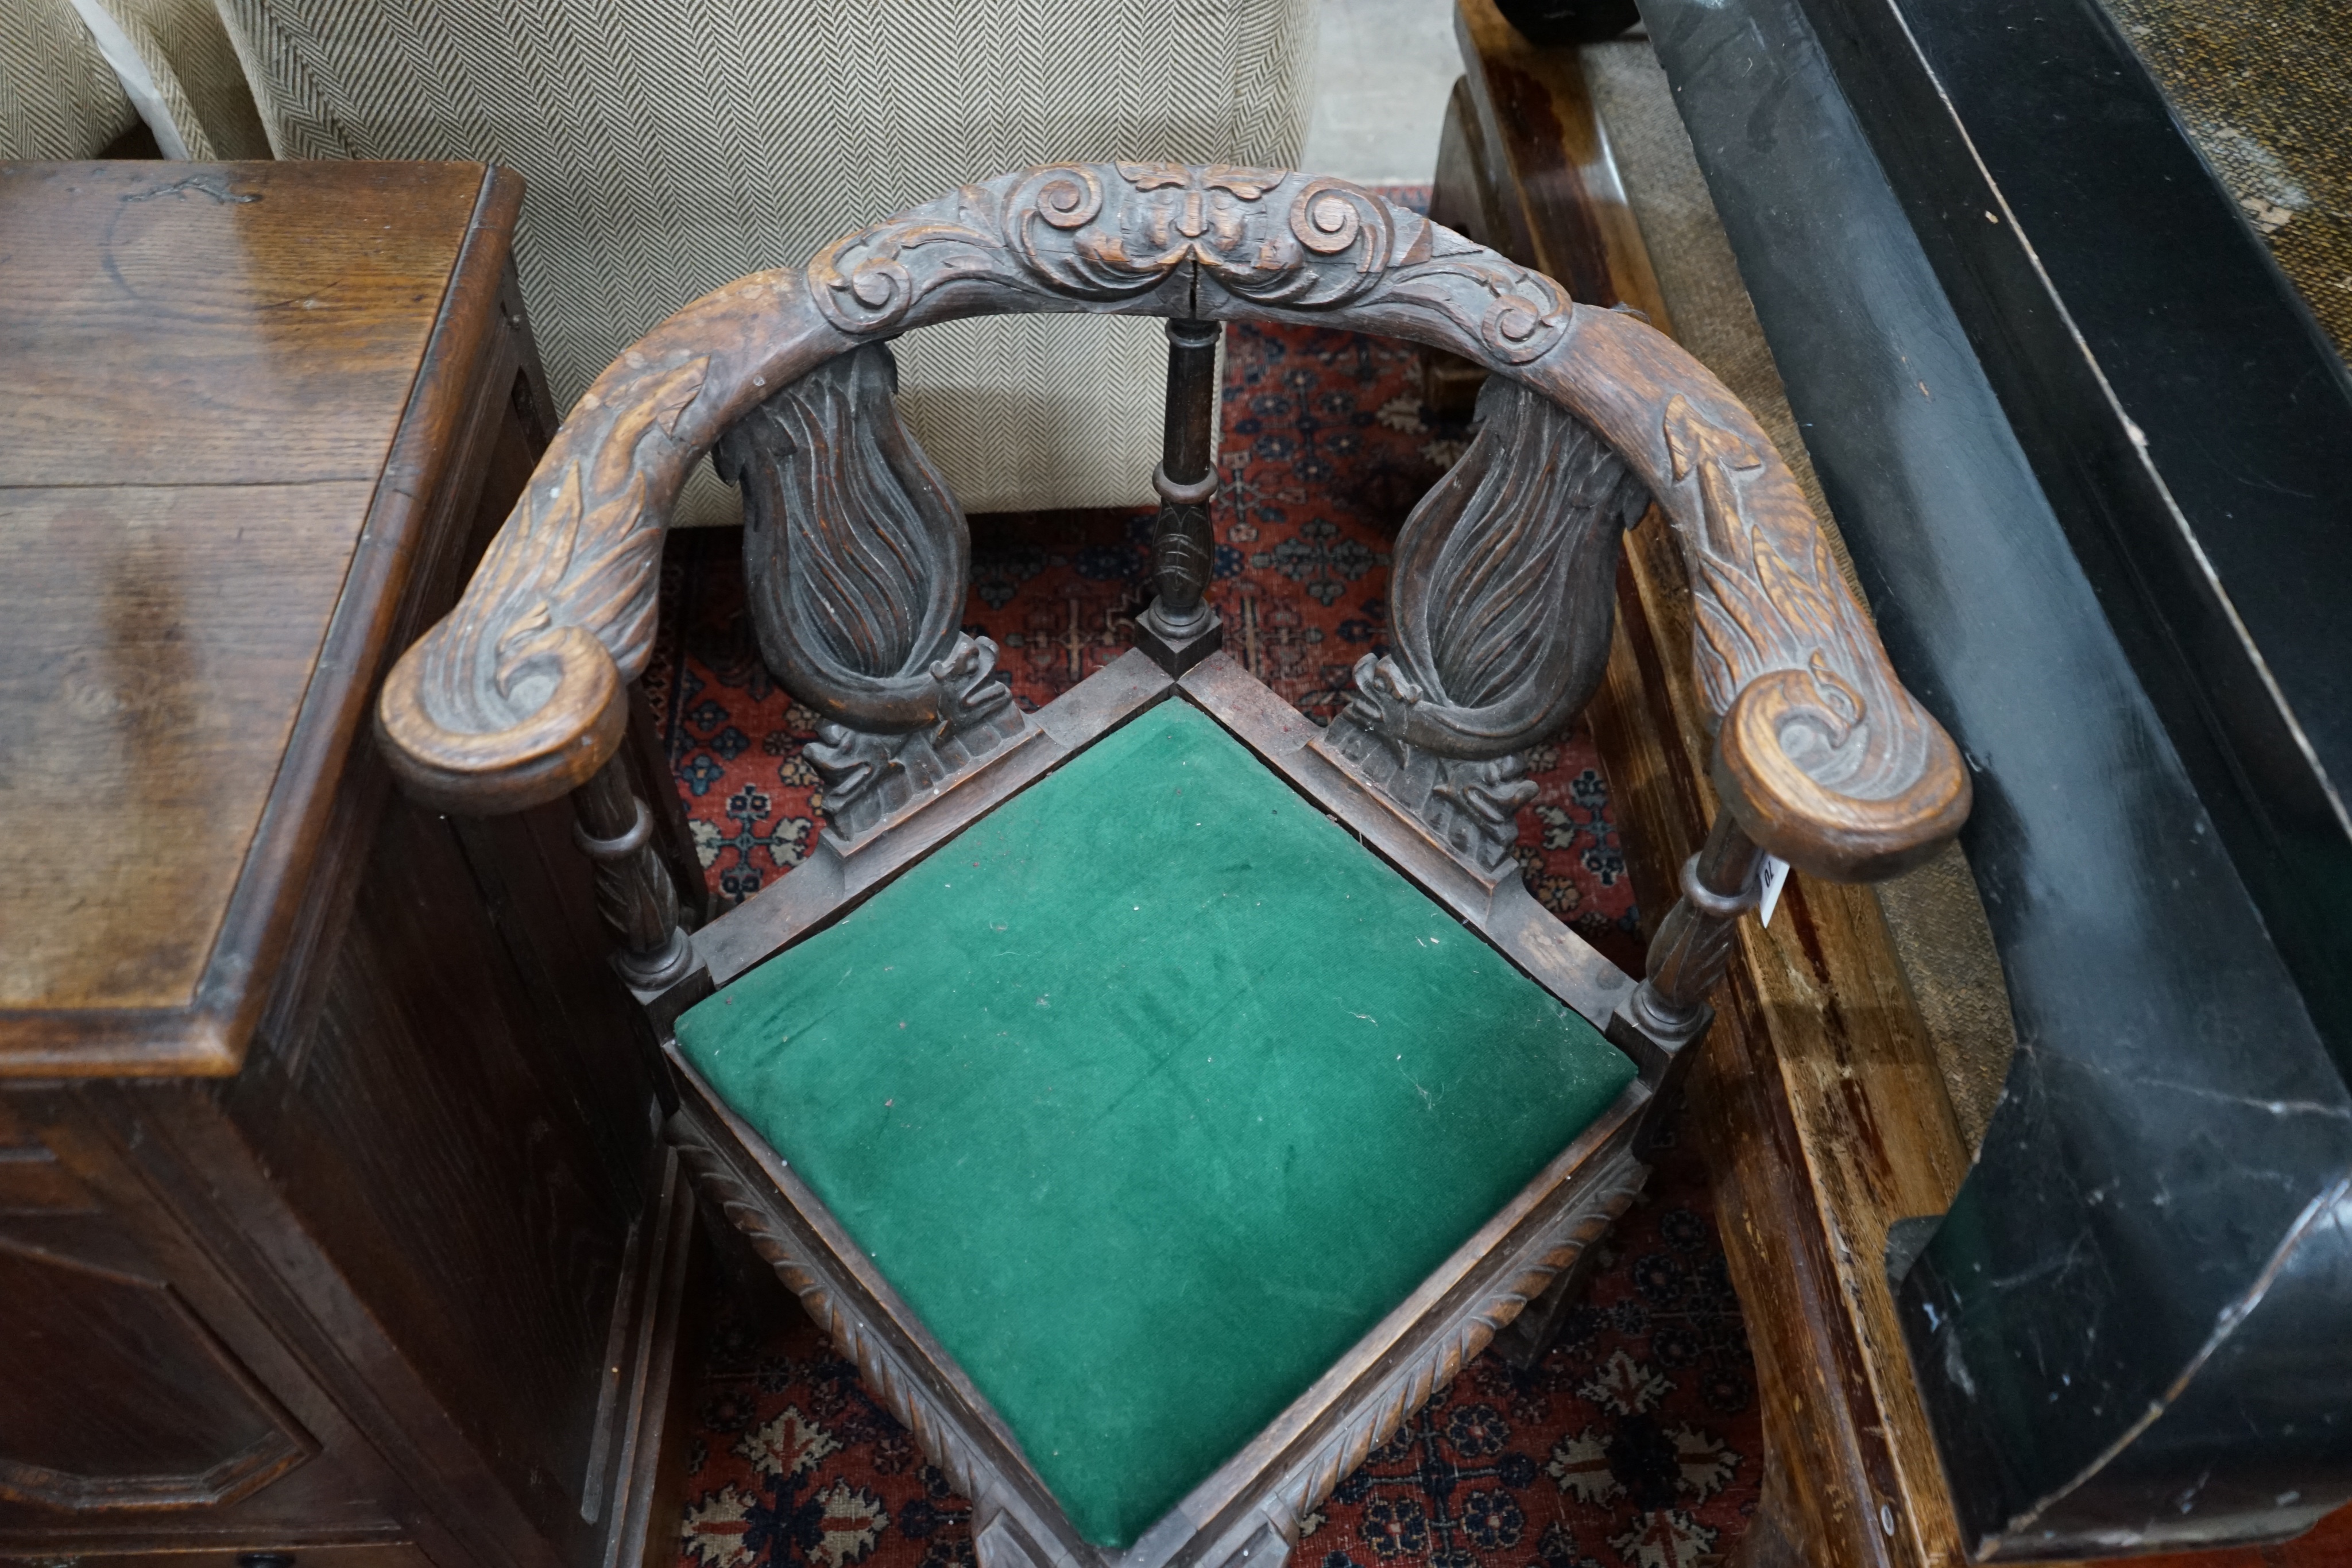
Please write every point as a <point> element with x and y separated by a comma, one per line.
<point>1633,1445</point>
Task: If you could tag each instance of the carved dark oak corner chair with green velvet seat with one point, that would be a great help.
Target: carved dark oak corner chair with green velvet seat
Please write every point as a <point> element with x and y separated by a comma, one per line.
<point>1161,1097</point>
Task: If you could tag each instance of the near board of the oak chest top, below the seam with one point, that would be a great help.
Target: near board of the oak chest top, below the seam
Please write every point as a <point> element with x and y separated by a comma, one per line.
<point>154,657</point>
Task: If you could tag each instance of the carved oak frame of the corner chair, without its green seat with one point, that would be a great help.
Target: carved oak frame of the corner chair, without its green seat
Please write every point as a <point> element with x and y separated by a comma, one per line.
<point>1499,617</point>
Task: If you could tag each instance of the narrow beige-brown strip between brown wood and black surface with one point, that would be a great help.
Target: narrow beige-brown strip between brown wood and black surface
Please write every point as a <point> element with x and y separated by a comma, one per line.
<point>1935,913</point>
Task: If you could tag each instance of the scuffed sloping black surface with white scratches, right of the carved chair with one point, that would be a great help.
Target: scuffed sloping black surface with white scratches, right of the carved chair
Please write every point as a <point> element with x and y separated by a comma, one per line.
<point>2174,1132</point>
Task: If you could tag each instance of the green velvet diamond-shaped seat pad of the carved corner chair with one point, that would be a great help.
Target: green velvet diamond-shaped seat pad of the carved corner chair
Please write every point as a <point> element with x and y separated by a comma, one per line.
<point>1151,1094</point>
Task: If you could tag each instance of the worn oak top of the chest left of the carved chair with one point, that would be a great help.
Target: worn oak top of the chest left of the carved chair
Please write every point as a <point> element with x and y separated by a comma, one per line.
<point>208,370</point>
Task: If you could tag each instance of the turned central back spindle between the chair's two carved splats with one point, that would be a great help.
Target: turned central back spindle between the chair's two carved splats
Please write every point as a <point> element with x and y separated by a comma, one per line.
<point>1180,629</point>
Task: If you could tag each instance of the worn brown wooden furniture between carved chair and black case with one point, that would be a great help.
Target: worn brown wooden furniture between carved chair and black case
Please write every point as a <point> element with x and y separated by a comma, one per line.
<point>1817,1094</point>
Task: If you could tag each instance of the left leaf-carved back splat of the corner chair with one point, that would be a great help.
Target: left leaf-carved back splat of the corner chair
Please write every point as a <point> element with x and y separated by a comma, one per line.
<point>857,561</point>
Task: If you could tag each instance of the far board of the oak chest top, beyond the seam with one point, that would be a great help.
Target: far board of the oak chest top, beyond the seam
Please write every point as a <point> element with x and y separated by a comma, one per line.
<point>222,323</point>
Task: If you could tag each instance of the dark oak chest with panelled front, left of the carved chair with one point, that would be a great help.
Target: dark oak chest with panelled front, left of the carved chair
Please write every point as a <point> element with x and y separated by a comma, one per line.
<point>408,1285</point>
